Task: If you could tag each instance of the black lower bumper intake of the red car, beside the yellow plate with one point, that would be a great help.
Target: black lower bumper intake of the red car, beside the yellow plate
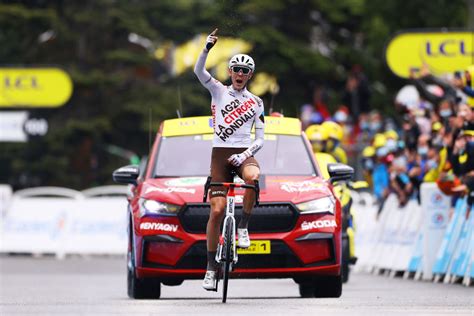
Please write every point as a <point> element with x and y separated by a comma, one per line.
<point>281,257</point>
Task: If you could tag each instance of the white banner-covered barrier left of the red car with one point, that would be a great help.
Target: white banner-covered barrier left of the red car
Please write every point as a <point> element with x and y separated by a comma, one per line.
<point>60,221</point>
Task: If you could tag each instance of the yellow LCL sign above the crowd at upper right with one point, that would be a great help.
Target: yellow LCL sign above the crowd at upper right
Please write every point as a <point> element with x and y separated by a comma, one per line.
<point>443,52</point>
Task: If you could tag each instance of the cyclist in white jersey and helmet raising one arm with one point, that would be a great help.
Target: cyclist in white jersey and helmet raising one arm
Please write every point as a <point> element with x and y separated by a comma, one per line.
<point>234,111</point>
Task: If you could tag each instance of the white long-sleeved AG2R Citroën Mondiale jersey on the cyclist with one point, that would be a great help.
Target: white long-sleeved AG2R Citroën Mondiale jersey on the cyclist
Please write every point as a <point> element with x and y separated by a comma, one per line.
<point>233,112</point>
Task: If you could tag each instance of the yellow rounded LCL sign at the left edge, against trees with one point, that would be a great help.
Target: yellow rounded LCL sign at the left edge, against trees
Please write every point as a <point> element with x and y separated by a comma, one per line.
<point>34,87</point>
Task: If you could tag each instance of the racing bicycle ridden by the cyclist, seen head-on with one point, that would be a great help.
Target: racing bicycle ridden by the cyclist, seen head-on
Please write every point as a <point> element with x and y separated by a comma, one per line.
<point>226,255</point>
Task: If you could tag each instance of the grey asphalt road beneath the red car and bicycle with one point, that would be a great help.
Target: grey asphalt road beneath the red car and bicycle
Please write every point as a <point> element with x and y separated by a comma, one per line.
<point>97,286</point>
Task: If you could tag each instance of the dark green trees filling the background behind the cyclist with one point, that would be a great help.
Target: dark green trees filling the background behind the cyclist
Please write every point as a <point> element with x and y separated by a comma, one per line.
<point>119,86</point>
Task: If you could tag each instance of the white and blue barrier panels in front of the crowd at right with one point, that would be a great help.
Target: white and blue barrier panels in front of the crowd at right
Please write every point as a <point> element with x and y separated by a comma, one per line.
<point>431,241</point>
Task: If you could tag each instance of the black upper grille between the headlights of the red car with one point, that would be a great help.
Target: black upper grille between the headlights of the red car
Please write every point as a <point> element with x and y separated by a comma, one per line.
<point>266,218</point>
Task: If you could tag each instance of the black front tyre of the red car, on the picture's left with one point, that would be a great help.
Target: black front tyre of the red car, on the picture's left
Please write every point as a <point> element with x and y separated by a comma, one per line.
<point>146,288</point>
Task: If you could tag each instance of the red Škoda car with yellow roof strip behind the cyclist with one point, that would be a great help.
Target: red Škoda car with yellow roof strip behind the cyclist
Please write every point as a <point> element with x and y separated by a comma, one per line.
<point>295,230</point>
